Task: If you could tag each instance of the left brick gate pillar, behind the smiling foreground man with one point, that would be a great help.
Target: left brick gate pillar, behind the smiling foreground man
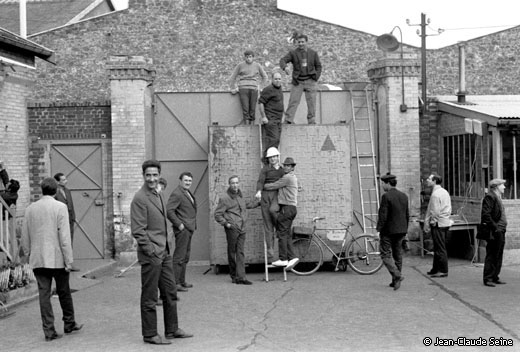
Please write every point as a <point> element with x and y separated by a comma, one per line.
<point>131,78</point>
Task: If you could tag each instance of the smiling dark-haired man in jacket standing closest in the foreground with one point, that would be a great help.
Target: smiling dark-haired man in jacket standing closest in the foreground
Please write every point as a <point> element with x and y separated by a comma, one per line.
<point>150,229</point>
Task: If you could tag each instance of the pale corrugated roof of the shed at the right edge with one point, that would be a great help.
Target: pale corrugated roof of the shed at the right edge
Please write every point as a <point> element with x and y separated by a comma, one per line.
<point>502,107</point>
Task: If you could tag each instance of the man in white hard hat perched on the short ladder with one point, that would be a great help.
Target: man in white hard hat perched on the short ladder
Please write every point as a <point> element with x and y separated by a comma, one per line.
<point>269,198</point>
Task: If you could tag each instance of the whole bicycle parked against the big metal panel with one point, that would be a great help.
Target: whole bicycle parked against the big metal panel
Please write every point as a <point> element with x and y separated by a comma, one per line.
<point>360,253</point>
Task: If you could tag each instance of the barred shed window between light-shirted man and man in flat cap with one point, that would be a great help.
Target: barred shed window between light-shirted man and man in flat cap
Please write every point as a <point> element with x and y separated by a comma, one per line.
<point>464,175</point>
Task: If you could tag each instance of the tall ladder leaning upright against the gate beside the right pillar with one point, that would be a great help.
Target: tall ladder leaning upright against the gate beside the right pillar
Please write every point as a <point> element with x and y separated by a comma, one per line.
<point>365,159</point>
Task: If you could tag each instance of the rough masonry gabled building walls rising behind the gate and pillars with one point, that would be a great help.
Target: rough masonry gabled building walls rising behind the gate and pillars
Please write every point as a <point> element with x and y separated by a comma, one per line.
<point>196,43</point>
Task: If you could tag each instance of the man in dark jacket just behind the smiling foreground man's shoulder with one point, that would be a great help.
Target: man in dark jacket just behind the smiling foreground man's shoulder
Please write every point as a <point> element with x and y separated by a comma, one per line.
<point>182,212</point>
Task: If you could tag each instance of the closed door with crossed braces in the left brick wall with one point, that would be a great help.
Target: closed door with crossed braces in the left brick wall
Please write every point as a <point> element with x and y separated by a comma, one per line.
<point>82,164</point>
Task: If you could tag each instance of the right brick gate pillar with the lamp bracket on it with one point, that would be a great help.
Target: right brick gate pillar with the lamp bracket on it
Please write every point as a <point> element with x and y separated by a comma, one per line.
<point>398,131</point>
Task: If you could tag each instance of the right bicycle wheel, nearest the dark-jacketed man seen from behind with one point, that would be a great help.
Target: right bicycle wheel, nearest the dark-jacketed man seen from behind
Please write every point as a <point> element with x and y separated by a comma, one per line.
<point>363,255</point>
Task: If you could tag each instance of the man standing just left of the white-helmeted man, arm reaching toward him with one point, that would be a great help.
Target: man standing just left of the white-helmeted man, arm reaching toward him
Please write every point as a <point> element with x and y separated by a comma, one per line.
<point>231,213</point>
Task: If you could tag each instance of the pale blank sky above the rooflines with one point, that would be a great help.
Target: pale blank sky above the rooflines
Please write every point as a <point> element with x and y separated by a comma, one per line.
<point>460,19</point>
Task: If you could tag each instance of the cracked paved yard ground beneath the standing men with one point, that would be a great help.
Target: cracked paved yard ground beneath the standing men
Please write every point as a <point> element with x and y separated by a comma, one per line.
<point>327,311</point>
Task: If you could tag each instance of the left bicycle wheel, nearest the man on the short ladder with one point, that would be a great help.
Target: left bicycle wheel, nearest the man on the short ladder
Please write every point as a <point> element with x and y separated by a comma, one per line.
<point>310,254</point>
